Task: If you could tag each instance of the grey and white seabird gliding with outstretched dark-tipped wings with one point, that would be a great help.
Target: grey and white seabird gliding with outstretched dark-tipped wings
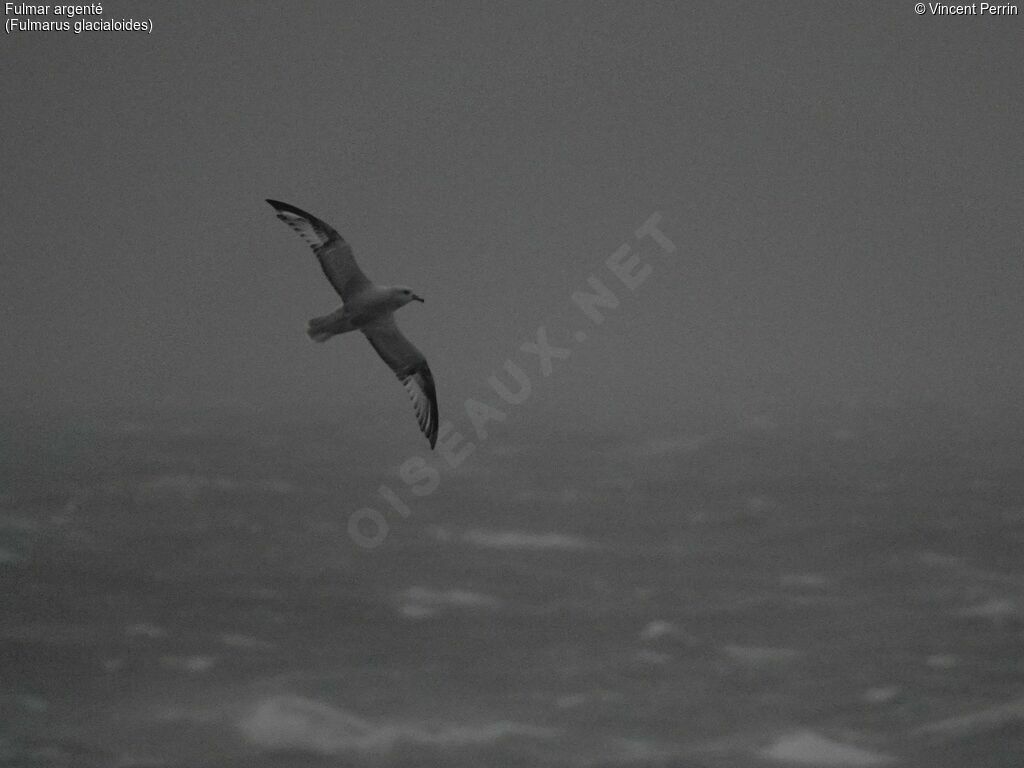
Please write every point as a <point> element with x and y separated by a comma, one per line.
<point>367,308</point>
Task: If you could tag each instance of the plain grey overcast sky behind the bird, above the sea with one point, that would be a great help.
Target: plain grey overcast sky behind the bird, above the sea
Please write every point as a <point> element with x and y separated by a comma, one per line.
<point>843,183</point>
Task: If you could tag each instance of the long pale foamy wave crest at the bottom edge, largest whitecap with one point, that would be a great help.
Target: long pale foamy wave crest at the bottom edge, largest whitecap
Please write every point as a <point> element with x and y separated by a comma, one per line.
<point>290,722</point>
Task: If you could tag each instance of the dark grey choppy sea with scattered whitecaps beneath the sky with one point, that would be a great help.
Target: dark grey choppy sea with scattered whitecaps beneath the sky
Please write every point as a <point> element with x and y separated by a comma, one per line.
<point>834,589</point>
